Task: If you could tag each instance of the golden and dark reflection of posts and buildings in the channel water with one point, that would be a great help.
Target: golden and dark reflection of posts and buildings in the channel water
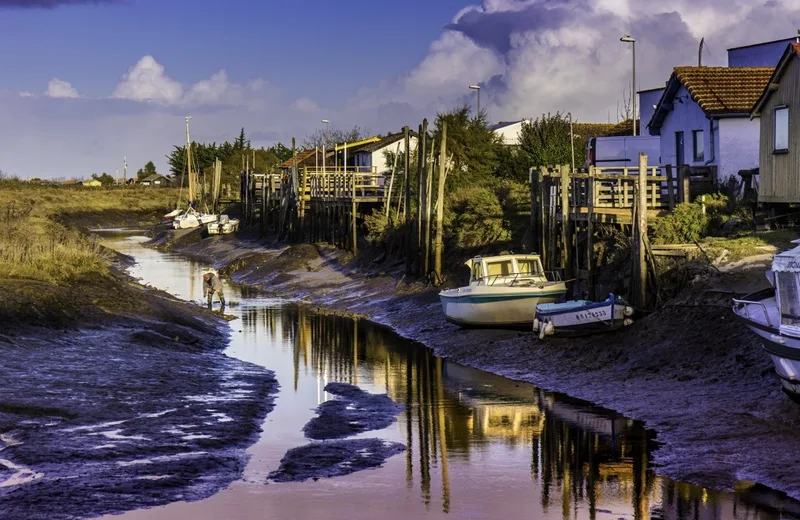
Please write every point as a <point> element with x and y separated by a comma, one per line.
<point>585,461</point>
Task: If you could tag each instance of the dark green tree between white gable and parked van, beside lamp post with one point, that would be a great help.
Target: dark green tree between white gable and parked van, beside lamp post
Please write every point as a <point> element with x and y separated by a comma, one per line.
<point>547,141</point>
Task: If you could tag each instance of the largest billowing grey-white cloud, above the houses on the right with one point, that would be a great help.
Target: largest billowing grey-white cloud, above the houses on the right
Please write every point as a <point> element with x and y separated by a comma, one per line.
<point>535,56</point>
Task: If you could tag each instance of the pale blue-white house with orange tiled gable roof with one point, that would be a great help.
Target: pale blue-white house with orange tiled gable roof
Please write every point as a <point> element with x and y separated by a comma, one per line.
<point>703,118</point>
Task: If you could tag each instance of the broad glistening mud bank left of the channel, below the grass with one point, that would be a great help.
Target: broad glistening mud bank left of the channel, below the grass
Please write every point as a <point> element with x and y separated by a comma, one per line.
<point>117,397</point>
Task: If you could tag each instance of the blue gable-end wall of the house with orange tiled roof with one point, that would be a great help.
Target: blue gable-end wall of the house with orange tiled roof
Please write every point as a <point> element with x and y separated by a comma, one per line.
<point>686,116</point>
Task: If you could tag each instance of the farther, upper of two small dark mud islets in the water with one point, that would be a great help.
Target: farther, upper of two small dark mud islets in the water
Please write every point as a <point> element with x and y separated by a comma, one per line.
<point>354,411</point>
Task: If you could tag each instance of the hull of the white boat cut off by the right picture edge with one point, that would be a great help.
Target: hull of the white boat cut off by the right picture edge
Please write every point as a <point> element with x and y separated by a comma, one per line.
<point>783,350</point>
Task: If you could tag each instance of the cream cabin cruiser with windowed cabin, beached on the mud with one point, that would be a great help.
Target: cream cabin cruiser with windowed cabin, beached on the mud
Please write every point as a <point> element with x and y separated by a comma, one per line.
<point>503,292</point>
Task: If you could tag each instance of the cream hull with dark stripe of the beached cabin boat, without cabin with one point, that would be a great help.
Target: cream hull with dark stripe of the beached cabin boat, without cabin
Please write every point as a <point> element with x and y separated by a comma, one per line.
<point>506,309</point>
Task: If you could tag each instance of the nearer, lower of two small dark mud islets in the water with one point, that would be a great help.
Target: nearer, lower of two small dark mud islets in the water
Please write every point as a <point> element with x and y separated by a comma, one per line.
<point>334,459</point>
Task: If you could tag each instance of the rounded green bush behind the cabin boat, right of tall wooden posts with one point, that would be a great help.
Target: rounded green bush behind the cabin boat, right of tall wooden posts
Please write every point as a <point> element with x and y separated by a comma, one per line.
<point>474,218</point>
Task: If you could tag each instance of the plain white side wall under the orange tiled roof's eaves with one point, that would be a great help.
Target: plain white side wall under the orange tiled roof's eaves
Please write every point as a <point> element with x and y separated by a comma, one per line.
<point>738,146</point>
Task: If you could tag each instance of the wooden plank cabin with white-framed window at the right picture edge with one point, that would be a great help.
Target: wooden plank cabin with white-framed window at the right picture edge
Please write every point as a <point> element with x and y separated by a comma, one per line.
<point>779,151</point>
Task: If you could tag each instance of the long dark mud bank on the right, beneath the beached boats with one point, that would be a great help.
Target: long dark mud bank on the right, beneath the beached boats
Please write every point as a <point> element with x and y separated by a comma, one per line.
<point>701,381</point>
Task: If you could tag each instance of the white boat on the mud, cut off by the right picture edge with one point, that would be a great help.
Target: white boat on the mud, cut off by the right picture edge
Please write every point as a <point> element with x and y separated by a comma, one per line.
<point>774,314</point>
